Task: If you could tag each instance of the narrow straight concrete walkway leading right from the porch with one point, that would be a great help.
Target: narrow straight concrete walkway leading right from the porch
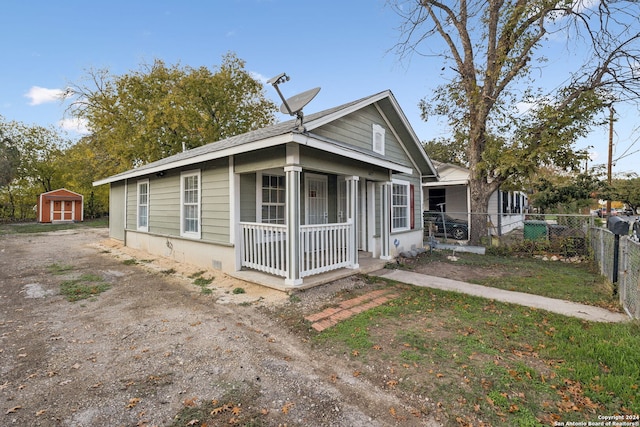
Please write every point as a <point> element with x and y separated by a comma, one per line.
<point>567,308</point>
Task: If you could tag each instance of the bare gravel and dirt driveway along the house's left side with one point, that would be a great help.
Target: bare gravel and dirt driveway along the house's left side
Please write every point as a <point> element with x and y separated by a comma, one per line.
<point>154,345</point>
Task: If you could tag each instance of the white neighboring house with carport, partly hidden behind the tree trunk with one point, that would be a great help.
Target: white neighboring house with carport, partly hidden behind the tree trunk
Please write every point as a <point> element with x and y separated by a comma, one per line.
<point>506,209</point>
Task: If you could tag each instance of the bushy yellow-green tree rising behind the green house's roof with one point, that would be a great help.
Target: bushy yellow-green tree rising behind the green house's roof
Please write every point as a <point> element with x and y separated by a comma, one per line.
<point>160,110</point>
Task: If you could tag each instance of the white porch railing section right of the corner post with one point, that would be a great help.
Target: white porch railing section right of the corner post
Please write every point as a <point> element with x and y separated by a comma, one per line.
<point>324,247</point>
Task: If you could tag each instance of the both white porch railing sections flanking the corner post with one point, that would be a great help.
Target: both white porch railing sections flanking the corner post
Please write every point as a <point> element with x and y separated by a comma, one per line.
<point>323,248</point>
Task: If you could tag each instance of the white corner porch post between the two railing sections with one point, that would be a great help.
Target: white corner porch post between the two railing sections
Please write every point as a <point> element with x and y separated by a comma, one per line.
<point>292,189</point>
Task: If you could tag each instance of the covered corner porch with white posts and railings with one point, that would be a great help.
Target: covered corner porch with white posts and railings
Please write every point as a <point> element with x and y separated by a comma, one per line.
<point>309,224</point>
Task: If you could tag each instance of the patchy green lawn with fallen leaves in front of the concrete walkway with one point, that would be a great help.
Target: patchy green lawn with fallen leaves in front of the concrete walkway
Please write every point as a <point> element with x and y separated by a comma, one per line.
<point>481,361</point>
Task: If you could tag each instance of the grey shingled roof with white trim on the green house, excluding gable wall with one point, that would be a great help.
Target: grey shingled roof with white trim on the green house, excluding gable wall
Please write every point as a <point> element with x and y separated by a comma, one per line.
<point>282,133</point>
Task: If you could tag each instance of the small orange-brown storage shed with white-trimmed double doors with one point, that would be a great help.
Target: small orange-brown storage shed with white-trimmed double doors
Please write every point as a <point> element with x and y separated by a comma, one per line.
<point>60,206</point>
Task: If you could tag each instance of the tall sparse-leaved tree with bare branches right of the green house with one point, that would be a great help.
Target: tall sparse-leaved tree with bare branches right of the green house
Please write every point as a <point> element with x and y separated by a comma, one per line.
<point>489,50</point>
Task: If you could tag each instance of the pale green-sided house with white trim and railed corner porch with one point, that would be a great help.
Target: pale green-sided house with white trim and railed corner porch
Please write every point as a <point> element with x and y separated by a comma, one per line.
<point>284,201</point>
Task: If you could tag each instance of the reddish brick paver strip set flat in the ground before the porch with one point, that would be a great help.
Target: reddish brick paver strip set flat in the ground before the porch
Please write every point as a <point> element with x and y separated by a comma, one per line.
<point>333,315</point>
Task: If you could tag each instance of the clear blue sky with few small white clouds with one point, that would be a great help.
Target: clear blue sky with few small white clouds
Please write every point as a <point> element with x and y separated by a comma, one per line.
<point>345,47</point>
